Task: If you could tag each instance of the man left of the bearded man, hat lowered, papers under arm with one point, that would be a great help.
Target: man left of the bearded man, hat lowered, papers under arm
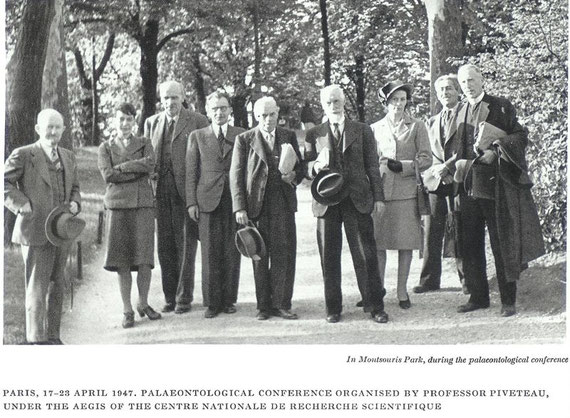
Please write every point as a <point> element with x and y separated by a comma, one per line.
<point>262,193</point>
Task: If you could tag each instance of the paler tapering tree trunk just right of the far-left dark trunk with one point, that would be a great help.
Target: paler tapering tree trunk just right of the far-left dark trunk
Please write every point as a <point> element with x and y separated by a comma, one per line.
<point>54,83</point>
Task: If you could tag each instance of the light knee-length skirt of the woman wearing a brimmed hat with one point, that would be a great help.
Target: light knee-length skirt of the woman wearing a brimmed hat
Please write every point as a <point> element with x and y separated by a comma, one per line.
<point>399,226</point>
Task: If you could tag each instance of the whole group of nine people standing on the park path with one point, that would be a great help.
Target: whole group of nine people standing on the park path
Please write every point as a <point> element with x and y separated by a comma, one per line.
<point>207,180</point>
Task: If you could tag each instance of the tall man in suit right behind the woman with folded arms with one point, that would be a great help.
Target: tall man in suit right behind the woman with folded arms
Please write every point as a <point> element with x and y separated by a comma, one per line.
<point>177,234</point>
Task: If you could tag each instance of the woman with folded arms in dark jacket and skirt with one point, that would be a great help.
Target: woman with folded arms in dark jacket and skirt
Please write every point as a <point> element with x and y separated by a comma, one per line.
<point>126,162</point>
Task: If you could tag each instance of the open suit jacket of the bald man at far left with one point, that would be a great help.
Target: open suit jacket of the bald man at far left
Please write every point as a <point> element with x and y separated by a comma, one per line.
<point>27,179</point>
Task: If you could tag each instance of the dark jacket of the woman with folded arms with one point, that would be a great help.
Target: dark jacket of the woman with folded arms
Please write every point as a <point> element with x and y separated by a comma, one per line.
<point>126,170</point>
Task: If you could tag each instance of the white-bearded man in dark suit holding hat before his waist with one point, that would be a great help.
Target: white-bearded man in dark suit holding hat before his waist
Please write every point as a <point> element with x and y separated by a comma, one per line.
<point>352,151</point>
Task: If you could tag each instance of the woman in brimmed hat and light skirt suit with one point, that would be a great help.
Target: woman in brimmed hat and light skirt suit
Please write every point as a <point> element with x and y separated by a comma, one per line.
<point>403,148</point>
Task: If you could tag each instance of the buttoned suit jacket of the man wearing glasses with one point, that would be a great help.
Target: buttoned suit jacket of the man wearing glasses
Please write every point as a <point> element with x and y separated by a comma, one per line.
<point>208,166</point>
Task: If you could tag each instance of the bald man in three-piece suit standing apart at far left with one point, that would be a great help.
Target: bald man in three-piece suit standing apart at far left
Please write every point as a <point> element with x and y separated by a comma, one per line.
<point>38,178</point>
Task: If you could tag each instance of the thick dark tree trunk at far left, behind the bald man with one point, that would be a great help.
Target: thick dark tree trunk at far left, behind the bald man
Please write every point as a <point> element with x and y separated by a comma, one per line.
<point>24,83</point>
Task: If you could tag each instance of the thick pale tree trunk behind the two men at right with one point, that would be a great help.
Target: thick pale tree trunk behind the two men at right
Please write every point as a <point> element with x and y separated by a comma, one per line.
<point>445,40</point>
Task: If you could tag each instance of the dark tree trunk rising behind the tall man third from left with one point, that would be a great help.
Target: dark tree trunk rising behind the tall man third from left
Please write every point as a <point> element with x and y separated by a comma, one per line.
<point>149,69</point>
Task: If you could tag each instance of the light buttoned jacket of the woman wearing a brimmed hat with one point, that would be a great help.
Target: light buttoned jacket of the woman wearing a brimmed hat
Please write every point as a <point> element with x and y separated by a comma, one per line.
<point>411,144</point>
